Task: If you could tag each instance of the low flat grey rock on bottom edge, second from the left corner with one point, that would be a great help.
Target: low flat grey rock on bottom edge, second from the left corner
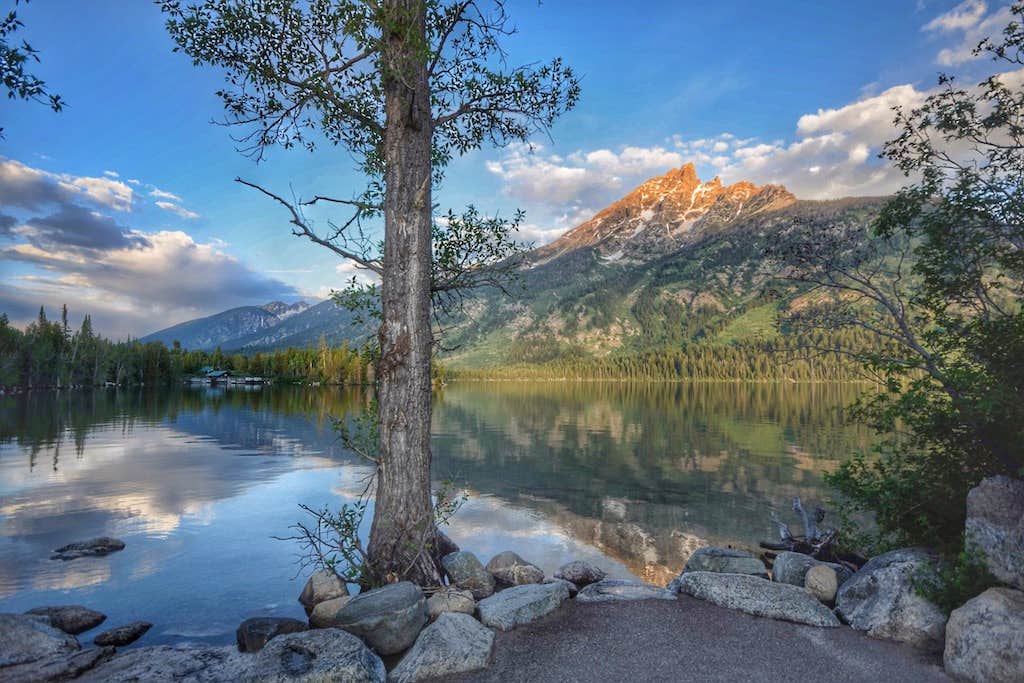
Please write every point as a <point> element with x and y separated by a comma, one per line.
<point>179,665</point>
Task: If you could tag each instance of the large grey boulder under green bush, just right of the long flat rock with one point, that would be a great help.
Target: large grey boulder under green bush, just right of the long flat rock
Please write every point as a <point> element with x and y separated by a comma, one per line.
<point>881,601</point>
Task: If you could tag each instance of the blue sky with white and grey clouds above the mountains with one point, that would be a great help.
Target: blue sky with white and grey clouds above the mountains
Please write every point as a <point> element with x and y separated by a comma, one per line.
<point>124,205</point>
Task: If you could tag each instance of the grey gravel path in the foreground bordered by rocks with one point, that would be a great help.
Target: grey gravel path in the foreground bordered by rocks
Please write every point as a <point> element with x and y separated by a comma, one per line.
<point>692,641</point>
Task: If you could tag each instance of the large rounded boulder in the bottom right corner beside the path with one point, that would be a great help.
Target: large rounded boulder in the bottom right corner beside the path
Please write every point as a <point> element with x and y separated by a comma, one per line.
<point>986,638</point>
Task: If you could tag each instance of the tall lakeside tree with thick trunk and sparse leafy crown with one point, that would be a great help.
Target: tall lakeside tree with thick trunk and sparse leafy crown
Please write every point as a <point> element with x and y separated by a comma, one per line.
<point>405,87</point>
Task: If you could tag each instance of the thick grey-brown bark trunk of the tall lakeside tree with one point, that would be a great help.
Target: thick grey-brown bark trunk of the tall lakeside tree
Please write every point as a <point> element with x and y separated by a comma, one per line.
<point>403,531</point>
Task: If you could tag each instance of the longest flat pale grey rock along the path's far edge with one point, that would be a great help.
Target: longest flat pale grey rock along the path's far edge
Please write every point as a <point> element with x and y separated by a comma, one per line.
<point>757,596</point>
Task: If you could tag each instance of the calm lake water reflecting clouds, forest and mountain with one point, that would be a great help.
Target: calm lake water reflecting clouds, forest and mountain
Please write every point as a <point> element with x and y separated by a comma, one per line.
<point>199,482</point>
